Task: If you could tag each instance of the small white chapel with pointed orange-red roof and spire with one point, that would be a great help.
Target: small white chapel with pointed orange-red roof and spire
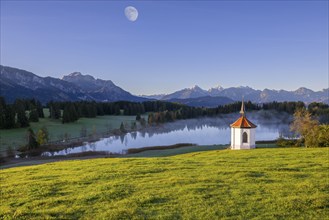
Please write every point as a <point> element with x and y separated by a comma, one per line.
<point>243,132</point>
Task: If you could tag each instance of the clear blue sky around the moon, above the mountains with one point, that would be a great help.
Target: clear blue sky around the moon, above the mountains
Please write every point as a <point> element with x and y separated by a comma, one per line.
<point>173,44</point>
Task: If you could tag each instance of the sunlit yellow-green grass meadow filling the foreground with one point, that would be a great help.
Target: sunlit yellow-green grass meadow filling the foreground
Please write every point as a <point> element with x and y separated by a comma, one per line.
<point>219,184</point>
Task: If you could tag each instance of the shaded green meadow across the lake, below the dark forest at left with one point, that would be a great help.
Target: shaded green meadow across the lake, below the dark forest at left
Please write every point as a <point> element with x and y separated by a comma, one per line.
<point>15,138</point>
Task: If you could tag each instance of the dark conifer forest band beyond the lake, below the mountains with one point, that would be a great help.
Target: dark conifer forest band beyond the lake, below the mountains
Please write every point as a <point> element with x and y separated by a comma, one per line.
<point>23,111</point>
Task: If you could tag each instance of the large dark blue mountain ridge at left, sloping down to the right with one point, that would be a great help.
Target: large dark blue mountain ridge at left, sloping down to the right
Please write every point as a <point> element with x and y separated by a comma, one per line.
<point>17,83</point>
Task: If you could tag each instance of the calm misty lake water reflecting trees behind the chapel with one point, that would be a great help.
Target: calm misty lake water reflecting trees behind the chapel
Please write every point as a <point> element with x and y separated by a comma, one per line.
<point>202,131</point>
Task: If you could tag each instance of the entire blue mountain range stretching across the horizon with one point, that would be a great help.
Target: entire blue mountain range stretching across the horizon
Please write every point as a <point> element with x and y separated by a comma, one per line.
<point>17,83</point>
